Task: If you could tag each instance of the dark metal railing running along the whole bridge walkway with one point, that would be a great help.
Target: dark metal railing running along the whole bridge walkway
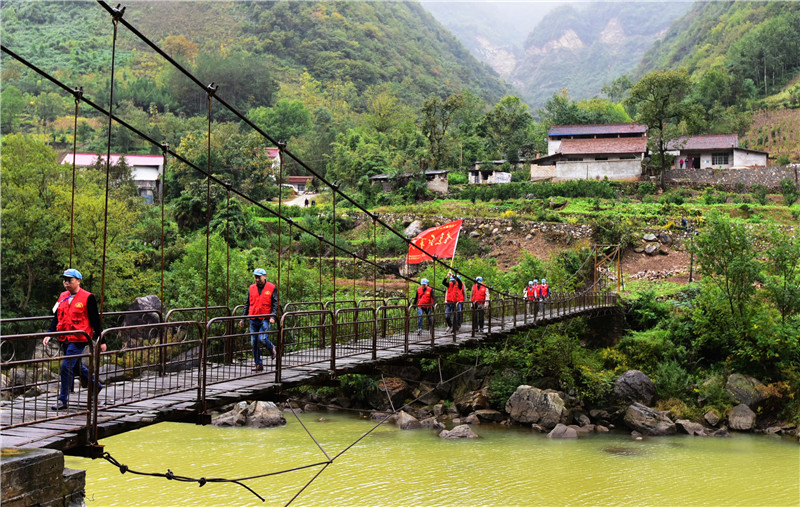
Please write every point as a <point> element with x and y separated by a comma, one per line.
<point>150,360</point>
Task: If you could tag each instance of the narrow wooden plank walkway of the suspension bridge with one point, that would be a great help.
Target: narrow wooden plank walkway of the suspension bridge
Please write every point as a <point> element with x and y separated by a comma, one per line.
<point>234,382</point>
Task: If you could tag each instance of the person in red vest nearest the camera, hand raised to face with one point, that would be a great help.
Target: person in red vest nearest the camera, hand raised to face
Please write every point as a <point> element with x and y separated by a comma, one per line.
<point>75,310</point>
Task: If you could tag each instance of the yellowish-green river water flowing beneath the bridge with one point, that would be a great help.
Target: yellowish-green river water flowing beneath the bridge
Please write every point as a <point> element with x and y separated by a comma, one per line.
<point>507,466</point>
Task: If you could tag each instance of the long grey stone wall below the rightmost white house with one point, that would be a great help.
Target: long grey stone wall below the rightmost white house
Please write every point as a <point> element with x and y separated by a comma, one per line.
<point>769,177</point>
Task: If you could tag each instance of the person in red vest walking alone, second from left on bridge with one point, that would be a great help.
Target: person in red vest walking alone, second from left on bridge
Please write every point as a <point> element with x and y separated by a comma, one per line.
<point>262,306</point>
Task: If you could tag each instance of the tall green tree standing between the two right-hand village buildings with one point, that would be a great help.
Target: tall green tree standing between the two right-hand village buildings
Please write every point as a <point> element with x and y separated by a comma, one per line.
<point>660,100</point>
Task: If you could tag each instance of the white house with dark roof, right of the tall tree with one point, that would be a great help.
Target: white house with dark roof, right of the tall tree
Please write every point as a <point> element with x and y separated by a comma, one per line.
<point>714,151</point>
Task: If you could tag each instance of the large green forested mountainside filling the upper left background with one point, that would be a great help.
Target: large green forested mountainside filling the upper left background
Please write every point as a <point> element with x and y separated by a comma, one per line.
<point>363,43</point>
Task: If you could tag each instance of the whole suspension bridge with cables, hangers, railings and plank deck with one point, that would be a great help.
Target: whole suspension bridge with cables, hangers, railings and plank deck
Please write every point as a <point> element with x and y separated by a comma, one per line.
<point>186,362</point>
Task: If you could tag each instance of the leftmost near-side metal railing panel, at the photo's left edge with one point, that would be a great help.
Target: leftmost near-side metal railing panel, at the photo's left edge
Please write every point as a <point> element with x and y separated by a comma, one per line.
<point>31,385</point>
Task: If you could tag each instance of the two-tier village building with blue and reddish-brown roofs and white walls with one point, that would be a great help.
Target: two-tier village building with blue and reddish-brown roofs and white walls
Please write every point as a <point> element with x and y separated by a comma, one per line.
<point>581,152</point>
